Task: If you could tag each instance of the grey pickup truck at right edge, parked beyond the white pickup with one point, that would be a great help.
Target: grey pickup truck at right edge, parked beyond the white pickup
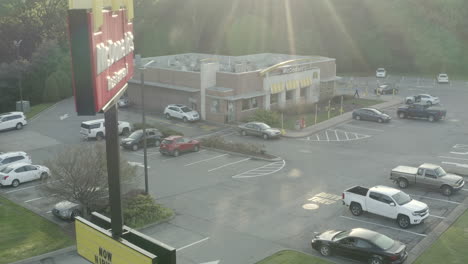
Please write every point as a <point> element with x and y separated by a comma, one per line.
<point>429,175</point>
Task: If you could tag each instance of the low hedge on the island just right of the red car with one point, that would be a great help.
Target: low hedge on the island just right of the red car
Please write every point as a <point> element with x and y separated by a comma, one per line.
<point>219,143</point>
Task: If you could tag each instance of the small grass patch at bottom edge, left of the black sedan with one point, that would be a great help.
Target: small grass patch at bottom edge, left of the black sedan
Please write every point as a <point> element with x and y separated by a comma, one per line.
<point>292,257</point>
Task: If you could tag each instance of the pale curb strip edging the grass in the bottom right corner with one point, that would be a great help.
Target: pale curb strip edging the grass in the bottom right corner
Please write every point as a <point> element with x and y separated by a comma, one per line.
<point>430,239</point>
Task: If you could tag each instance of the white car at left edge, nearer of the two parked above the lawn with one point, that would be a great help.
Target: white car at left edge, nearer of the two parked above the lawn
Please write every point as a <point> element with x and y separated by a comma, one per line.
<point>14,174</point>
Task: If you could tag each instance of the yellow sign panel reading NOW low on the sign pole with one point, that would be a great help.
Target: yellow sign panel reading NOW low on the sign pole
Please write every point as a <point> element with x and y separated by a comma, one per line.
<point>97,246</point>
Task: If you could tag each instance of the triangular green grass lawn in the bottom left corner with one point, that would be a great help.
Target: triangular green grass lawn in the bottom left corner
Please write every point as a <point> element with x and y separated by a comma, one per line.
<point>23,234</point>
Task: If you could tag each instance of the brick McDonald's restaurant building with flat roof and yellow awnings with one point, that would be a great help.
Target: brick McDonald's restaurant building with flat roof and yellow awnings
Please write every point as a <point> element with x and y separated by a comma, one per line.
<point>228,89</point>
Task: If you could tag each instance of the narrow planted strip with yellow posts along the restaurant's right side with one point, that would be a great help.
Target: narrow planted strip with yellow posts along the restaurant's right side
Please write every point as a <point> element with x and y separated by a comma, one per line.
<point>348,105</point>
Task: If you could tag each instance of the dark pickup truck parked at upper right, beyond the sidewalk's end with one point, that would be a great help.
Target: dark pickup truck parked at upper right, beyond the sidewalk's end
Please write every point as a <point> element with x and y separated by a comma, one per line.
<point>432,113</point>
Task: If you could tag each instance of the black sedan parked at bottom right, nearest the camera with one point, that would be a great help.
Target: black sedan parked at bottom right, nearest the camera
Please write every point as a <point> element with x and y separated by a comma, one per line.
<point>360,244</point>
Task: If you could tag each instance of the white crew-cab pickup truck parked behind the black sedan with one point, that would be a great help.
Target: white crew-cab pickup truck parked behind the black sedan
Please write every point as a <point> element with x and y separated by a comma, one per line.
<point>386,201</point>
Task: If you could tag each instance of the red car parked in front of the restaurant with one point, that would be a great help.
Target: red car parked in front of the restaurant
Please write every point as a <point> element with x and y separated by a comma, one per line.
<point>175,145</point>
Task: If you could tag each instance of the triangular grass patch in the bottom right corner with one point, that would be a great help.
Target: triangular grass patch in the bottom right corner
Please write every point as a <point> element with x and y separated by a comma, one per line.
<point>451,247</point>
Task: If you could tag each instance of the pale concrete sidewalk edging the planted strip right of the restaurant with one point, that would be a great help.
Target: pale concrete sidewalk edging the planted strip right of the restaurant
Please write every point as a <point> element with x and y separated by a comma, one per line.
<point>335,121</point>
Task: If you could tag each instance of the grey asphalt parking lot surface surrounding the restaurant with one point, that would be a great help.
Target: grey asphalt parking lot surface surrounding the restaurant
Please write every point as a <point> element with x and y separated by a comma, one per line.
<point>236,209</point>
